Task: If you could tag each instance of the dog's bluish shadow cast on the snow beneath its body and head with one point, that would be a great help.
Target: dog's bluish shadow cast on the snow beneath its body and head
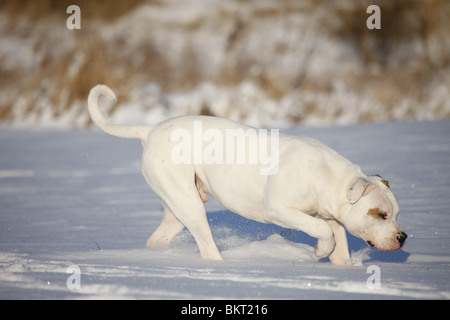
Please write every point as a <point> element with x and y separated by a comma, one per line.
<point>225,223</point>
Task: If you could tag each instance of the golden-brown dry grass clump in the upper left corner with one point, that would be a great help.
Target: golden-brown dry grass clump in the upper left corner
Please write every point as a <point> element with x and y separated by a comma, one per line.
<point>66,78</point>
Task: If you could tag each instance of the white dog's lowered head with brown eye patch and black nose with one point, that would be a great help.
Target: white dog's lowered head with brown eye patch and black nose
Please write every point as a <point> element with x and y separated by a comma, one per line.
<point>372,214</point>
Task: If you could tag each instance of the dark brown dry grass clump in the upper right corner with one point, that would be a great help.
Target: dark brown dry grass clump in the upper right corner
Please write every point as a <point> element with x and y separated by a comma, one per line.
<point>398,59</point>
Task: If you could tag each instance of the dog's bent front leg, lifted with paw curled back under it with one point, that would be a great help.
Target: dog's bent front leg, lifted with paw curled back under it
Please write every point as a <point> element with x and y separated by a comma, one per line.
<point>292,218</point>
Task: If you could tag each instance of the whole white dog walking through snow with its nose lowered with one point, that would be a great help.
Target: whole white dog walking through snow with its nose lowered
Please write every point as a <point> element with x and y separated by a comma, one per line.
<point>303,185</point>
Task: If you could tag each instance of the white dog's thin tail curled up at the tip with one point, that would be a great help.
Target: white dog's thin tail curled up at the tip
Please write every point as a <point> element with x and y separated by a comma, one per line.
<point>136,132</point>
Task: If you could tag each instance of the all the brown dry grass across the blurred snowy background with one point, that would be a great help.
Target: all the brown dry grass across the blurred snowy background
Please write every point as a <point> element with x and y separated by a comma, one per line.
<point>403,59</point>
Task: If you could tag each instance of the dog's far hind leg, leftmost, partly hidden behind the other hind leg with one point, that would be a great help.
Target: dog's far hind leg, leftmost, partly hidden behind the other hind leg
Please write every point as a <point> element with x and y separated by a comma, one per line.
<point>169,228</point>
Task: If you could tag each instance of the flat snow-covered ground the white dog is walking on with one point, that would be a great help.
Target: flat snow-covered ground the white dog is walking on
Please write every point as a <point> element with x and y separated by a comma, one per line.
<point>77,198</point>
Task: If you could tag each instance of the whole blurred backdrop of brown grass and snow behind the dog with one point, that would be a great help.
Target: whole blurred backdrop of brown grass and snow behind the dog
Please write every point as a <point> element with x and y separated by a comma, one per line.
<point>274,63</point>
